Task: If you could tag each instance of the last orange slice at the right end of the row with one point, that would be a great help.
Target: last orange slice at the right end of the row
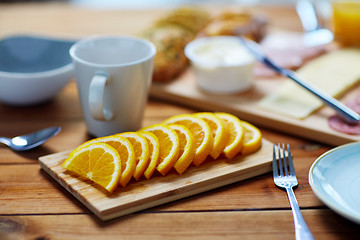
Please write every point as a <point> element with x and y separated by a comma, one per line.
<point>252,138</point>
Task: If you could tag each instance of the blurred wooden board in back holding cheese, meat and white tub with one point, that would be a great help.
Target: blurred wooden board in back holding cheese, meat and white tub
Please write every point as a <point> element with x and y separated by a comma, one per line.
<point>183,90</point>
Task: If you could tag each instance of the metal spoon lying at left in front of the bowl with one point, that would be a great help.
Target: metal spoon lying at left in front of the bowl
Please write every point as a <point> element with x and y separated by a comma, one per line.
<point>31,140</point>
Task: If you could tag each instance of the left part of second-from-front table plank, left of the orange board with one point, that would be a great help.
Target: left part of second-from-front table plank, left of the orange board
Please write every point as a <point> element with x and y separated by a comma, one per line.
<point>27,190</point>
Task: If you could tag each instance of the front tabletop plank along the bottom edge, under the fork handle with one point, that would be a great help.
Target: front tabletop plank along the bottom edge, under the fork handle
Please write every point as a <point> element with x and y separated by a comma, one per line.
<point>324,224</point>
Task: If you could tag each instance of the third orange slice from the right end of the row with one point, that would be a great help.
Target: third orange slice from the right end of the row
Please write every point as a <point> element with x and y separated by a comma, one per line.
<point>218,130</point>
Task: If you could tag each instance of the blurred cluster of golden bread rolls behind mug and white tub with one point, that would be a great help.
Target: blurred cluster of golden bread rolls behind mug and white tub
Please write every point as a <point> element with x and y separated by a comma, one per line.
<point>171,33</point>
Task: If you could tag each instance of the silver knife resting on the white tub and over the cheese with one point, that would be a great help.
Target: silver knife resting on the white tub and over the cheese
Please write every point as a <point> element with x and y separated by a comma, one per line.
<point>345,112</point>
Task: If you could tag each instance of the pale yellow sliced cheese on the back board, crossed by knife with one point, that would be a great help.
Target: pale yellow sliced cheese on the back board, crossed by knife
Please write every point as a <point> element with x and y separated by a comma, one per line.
<point>333,73</point>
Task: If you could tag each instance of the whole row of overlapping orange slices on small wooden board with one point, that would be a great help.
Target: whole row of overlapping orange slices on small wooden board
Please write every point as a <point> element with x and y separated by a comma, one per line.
<point>176,143</point>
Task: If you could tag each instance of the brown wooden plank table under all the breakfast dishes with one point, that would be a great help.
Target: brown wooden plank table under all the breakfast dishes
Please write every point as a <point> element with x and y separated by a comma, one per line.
<point>34,206</point>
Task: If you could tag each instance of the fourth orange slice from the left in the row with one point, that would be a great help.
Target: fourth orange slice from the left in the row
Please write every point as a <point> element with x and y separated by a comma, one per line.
<point>154,149</point>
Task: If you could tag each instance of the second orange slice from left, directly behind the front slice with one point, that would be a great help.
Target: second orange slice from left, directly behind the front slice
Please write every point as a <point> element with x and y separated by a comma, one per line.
<point>126,152</point>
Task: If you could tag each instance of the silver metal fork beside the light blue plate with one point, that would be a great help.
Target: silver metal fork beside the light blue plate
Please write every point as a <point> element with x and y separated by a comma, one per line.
<point>284,177</point>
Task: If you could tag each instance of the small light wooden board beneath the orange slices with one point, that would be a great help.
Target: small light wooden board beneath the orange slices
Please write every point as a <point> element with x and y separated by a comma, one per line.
<point>158,190</point>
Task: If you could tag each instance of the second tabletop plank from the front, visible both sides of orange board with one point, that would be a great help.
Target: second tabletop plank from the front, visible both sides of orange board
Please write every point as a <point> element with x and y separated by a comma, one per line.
<point>37,193</point>
